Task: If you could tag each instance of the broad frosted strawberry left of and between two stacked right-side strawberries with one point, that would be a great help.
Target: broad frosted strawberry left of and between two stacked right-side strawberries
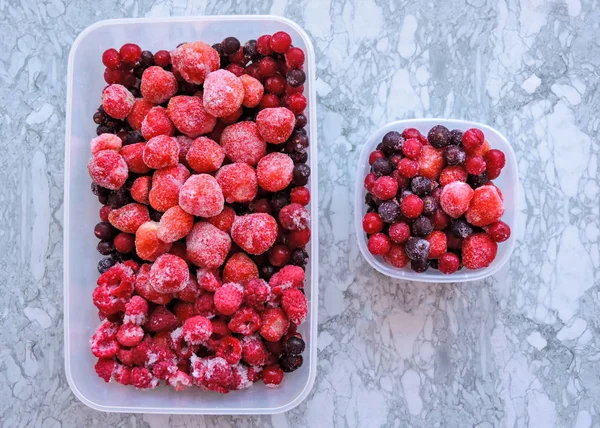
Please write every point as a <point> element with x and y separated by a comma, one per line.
<point>243,143</point>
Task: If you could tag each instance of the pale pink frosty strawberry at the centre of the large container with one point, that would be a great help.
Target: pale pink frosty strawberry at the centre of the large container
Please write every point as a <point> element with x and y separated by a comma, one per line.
<point>201,196</point>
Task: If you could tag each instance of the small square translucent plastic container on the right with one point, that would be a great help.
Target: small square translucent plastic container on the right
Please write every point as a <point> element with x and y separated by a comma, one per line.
<point>508,182</point>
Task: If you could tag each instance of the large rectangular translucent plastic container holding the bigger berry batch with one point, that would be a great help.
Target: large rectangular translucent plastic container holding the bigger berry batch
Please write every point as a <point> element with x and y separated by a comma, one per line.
<point>85,83</point>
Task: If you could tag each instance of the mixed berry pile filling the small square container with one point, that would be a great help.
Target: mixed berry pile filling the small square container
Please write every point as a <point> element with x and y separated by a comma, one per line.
<point>431,201</point>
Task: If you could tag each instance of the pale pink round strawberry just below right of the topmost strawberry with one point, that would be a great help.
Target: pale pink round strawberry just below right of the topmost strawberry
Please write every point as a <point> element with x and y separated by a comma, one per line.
<point>223,93</point>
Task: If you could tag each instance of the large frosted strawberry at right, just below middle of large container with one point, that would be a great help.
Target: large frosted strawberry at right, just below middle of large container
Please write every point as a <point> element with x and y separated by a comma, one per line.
<point>254,233</point>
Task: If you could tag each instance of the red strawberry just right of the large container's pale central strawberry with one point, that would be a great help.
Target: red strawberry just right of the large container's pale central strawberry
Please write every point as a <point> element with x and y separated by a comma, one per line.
<point>238,182</point>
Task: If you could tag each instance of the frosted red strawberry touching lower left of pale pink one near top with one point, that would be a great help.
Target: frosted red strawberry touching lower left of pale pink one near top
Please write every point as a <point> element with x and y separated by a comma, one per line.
<point>189,117</point>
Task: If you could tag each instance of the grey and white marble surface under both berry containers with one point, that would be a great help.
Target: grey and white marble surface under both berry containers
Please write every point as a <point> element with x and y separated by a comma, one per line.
<point>519,349</point>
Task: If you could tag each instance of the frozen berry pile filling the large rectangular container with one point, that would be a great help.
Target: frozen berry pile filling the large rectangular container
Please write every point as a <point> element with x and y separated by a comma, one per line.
<point>200,165</point>
